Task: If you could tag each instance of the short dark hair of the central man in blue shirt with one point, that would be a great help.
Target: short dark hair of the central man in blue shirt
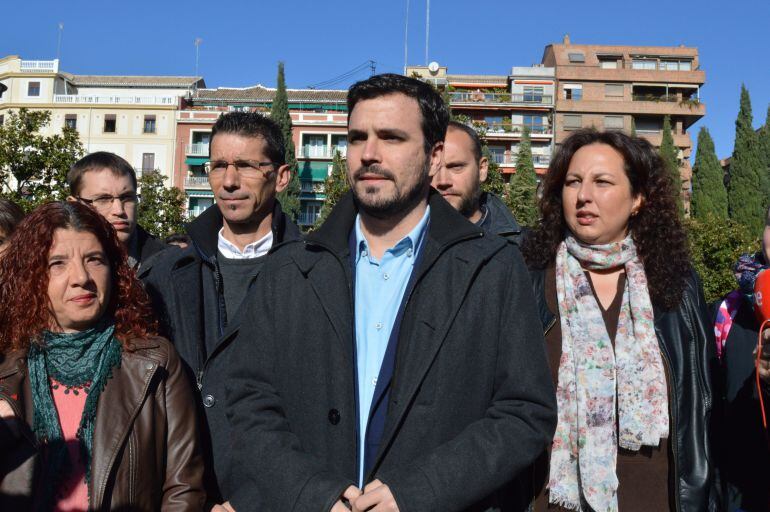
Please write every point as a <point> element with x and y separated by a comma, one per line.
<point>435,114</point>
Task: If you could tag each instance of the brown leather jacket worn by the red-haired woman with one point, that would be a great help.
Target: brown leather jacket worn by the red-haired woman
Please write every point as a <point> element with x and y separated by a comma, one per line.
<point>146,452</point>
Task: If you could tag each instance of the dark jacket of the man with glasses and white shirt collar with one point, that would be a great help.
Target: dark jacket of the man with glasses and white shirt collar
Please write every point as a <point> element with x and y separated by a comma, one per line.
<point>185,286</point>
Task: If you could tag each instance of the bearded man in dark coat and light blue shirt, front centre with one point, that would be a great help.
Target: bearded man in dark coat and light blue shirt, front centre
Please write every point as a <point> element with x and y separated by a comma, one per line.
<point>392,360</point>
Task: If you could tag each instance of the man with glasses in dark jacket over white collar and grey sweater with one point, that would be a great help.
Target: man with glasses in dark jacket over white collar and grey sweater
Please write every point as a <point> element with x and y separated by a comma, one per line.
<point>197,292</point>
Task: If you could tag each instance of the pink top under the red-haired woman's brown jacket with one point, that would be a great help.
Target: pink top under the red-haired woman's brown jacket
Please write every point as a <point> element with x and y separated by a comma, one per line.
<point>72,494</point>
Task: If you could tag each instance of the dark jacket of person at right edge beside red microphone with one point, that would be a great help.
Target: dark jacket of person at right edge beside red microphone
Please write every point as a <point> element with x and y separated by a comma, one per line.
<point>744,453</point>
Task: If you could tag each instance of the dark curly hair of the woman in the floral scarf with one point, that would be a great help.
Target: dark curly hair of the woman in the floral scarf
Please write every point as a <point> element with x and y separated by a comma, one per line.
<point>657,228</point>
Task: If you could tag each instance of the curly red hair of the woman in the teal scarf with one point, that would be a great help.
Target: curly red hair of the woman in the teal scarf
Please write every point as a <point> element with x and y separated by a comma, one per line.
<point>24,304</point>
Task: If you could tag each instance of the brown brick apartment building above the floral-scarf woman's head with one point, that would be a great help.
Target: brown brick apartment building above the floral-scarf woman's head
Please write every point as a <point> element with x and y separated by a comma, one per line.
<point>629,88</point>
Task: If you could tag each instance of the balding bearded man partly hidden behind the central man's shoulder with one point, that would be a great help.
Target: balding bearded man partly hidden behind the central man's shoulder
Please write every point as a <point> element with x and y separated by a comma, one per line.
<point>459,180</point>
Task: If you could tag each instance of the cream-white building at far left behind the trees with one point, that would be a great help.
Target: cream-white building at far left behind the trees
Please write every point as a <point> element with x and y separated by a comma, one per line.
<point>132,116</point>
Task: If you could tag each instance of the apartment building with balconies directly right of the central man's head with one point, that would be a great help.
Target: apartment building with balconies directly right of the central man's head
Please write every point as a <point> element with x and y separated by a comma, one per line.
<point>500,106</point>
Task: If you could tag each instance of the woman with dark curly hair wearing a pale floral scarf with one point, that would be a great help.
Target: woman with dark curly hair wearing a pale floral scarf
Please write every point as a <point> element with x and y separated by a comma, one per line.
<point>627,334</point>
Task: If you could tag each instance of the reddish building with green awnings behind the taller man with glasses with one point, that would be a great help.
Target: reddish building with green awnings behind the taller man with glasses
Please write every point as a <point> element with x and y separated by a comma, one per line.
<point>319,120</point>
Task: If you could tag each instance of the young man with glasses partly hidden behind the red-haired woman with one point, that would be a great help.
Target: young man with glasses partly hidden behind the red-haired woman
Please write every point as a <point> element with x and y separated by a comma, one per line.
<point>107,183</point>
